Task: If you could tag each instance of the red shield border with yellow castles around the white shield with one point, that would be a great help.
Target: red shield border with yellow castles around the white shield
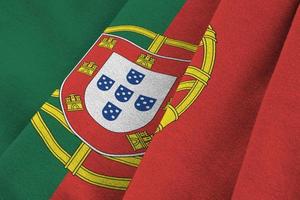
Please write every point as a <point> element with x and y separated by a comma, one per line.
<point>84,126</point>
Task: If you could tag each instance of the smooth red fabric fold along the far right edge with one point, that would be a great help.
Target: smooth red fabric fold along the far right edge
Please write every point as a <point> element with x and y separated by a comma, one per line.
<point>270,168</point>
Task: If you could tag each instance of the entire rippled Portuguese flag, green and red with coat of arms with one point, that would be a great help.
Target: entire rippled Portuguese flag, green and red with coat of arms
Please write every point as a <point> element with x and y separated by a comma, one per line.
<point>173,100</point>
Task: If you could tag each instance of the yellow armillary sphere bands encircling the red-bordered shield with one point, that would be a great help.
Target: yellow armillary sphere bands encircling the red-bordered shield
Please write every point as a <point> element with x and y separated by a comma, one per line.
<point>197,77</point>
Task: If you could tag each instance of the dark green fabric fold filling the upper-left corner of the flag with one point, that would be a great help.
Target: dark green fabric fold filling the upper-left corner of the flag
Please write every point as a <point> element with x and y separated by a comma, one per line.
<point>41,41</point>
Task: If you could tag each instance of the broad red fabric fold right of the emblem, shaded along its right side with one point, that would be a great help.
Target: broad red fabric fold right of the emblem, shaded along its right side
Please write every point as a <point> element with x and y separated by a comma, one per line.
<point>199,156</point>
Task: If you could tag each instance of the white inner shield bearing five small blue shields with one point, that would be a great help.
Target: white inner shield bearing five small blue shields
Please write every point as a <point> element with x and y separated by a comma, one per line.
<point>115,98</point>
